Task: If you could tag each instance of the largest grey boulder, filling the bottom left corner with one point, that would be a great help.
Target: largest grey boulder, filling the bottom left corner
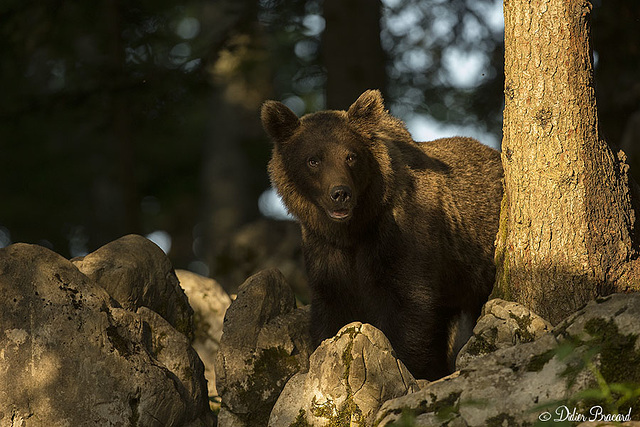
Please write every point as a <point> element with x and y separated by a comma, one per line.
<point>69,356</point>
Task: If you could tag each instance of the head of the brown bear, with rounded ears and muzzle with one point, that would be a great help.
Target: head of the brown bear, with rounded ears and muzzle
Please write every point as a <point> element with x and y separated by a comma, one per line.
<point>333,167</point>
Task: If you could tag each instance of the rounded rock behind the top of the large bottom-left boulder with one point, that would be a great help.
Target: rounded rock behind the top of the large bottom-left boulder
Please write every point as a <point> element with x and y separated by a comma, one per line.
<point>136,273</point>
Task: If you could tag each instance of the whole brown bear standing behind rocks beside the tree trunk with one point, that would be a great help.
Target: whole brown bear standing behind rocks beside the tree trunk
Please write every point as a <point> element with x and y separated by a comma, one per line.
<point>396,233</point>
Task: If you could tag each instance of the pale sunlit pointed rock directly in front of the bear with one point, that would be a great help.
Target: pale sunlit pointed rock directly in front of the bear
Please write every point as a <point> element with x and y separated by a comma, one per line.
<point>350,376</point>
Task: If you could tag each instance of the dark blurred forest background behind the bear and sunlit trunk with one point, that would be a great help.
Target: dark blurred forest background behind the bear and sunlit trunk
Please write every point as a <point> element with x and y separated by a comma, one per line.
<point>142,116</point>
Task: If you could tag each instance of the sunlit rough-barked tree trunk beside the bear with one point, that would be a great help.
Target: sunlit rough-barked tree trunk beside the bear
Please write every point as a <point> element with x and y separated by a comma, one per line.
<point>567,221</point>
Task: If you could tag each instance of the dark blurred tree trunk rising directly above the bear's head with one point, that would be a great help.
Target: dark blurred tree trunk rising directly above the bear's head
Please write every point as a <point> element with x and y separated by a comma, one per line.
<point>351,50</point>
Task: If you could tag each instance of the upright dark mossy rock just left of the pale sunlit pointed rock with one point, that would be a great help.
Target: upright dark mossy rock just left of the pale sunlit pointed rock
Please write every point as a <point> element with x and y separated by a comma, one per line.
<point>265,341</point>
